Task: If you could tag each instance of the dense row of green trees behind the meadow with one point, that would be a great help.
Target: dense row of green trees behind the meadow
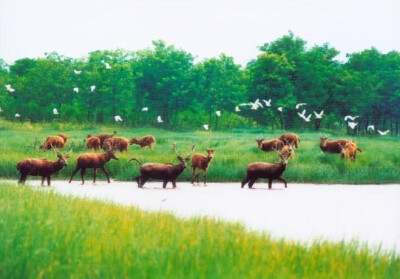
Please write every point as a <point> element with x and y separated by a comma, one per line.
<point>165,81</point>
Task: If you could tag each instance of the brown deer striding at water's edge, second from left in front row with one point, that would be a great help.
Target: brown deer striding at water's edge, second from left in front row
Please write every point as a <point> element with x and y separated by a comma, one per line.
<point>94,161</point>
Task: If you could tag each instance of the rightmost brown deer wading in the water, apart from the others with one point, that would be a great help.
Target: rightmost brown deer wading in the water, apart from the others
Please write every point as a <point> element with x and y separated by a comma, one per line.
<point>271,171</point>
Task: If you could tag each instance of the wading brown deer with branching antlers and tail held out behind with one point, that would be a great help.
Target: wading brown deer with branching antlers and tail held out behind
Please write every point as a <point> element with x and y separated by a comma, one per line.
<point>164,172</point>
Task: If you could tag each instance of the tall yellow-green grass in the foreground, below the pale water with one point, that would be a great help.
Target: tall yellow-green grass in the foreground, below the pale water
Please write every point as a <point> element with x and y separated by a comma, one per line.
<point>45,235</point>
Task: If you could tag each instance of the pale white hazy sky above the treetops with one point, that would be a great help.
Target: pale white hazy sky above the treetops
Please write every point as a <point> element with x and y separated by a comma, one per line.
<point>207,28</point>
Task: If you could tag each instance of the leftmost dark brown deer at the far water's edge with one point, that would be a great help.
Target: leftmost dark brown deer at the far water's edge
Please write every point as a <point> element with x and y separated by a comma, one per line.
<point>41,167</point>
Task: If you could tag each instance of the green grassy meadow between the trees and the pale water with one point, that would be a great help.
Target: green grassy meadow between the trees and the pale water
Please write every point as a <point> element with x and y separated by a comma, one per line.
<point>234,150</point>
